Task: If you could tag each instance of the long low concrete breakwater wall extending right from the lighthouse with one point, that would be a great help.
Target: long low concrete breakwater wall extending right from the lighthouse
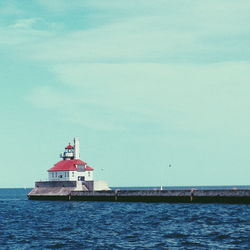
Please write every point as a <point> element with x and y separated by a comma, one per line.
<point>185,196</point>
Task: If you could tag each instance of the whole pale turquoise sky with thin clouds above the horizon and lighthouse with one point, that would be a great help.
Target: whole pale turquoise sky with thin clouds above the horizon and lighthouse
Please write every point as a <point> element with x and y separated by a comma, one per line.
<point>142,83</point>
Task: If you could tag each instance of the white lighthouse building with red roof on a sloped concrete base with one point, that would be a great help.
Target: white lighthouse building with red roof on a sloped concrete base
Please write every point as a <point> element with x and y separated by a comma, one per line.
<point>68,175</point>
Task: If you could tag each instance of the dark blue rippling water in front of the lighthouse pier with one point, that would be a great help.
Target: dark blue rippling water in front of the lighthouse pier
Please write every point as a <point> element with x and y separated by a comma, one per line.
<point>26,224</point>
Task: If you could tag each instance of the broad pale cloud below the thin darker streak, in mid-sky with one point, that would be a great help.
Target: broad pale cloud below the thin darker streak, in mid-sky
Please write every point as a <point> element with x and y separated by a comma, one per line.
<point>173,97</point>
